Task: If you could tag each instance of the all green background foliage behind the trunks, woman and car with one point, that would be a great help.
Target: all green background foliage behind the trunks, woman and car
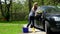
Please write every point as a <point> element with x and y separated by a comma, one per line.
<point>19,11</point>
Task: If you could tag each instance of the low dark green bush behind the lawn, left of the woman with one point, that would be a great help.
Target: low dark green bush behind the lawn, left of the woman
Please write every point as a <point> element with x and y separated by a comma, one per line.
<point>20,16</point>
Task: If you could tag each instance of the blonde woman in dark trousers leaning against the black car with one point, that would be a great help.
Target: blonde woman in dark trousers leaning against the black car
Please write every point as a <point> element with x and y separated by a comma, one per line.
<point>32,14</point>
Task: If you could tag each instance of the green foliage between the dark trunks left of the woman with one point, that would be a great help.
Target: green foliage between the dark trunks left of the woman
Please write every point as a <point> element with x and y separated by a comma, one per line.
<point>19,11</point>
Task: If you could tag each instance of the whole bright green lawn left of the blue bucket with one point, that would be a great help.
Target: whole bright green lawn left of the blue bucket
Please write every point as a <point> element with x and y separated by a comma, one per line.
<point>14,27</point>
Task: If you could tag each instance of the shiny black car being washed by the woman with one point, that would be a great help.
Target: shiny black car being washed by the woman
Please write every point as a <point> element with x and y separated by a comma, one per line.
<point>50,21</point>
